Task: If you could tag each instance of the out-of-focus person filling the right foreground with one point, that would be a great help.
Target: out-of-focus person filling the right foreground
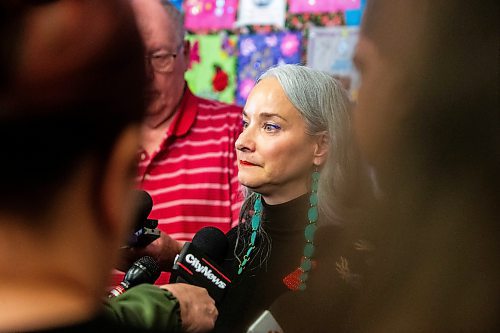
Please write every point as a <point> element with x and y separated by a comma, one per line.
<point>427,122</point>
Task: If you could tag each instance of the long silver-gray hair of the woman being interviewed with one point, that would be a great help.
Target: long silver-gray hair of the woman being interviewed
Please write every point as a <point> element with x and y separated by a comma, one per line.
<point>325,107</point>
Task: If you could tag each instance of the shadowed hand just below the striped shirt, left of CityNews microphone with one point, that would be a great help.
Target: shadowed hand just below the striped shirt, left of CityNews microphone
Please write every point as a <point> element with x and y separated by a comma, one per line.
<point>163,250</point>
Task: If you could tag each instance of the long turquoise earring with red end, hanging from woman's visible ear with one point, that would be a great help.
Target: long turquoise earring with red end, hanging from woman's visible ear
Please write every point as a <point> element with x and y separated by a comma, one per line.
<point>298,278</point>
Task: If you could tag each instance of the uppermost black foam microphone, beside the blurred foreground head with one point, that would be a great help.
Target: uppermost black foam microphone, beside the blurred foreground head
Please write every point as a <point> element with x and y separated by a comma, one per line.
<point>145,230</point>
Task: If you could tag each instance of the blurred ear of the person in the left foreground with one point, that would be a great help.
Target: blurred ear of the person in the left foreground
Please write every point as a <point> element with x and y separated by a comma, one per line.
<point>117,191</point>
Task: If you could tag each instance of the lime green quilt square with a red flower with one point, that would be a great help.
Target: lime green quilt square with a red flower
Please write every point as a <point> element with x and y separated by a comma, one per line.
<point>207,53</point>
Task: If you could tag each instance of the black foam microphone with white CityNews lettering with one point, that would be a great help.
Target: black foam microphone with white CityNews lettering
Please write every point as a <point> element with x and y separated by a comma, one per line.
<point>197,263</point>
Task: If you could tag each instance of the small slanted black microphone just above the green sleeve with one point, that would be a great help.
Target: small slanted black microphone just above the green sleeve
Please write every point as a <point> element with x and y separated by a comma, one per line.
<point>144,270</point>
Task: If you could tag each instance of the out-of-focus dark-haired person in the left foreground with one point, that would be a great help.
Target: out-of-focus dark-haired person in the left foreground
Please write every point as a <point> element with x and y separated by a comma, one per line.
<point>71,106</point>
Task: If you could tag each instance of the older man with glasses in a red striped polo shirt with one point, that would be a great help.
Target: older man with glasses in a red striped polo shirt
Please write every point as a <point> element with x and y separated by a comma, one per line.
<point>187,159</point>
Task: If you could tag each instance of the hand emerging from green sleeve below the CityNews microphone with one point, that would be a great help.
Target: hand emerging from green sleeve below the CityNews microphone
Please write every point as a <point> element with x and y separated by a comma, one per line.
<point>198,311</point>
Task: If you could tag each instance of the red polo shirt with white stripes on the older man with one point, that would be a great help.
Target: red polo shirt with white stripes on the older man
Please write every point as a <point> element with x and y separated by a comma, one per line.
<point>192,178</point>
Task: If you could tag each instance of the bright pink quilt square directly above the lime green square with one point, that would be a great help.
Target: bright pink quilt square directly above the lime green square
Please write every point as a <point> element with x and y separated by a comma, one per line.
<point>210,15</point>
